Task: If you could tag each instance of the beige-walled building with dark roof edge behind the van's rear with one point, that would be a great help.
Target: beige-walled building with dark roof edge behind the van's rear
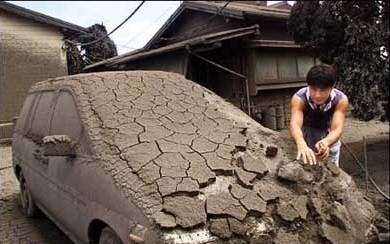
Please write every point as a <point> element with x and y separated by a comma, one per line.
<point>31,50</point>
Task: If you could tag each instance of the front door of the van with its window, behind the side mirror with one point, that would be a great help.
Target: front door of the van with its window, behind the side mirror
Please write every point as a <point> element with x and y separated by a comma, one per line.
<point>66,172</point>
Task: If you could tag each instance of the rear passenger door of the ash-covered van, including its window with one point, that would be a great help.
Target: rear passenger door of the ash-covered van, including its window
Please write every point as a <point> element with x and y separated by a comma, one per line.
<point>35,167</point>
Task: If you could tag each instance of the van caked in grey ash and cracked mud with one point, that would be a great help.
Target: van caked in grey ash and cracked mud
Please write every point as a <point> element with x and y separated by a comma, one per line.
<point>150,157</point>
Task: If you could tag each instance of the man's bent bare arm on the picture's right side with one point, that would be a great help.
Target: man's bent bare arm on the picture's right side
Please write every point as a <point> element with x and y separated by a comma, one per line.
<point>337,124</point>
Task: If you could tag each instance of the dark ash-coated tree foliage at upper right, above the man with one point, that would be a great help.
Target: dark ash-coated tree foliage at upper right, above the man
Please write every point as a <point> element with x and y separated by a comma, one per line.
<point>350,35</point>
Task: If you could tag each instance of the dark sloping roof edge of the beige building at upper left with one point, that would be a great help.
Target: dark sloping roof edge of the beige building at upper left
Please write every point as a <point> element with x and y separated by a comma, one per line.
<point>42,18</point>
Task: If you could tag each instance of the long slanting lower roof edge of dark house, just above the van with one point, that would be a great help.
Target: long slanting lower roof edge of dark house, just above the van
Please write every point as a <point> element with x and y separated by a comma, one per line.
<point>205,39</point>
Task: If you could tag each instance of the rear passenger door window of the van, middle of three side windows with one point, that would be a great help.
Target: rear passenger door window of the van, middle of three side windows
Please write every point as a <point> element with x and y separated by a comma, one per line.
<point>42,115</point>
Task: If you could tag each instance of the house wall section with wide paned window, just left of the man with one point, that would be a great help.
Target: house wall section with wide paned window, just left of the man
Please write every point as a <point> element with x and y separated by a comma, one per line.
<point>268,67</point>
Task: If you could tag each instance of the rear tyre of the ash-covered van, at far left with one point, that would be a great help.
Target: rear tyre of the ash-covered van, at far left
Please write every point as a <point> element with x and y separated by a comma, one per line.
<point>28,204</point>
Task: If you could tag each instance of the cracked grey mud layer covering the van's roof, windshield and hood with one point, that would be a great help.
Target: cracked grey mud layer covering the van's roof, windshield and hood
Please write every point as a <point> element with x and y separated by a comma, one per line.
<point>194,163</point>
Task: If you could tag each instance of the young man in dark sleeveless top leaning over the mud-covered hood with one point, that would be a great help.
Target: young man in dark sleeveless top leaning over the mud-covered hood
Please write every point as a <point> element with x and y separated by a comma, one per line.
<point>317,116</point>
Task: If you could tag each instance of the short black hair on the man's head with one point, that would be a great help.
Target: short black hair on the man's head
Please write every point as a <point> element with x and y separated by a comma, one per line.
<point>321,76</point>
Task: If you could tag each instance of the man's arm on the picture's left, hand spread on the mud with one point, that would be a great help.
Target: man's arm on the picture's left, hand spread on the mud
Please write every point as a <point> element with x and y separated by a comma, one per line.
<point>296,122</point>
